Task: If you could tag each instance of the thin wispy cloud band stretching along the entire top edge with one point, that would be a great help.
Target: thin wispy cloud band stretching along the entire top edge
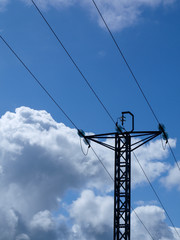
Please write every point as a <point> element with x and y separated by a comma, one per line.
<point>118,14</point>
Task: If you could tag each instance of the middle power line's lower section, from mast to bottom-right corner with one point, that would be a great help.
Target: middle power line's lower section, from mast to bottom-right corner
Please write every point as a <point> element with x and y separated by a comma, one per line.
<point>156,194</point>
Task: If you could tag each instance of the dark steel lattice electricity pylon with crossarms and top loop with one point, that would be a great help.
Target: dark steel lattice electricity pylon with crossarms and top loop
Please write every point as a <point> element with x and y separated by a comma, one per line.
<point>125,143</point>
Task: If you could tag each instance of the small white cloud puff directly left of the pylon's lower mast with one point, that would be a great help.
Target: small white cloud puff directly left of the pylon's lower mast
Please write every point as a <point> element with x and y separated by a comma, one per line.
<point>93,215</point>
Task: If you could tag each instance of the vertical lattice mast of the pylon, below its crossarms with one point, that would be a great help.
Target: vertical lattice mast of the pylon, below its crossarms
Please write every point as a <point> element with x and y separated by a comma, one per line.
<point>122,187</point>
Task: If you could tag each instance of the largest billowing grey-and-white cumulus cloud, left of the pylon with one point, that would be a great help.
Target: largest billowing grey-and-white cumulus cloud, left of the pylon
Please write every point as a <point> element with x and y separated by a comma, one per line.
<point>40,160</point>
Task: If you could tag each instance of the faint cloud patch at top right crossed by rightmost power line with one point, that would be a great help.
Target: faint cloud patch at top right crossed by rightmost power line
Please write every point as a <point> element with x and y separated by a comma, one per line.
<point>122,14</point>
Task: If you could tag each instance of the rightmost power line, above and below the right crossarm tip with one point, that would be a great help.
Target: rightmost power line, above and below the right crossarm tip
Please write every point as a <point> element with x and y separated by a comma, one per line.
<point>133,75</point>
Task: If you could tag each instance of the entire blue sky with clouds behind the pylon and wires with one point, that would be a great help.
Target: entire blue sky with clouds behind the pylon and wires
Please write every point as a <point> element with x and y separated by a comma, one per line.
<point>149,35</point>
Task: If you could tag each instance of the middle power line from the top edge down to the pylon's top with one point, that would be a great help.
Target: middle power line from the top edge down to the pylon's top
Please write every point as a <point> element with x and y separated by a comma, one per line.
<point>73,61</point>
